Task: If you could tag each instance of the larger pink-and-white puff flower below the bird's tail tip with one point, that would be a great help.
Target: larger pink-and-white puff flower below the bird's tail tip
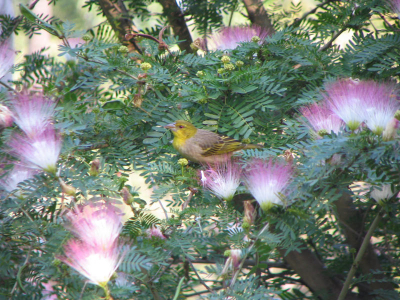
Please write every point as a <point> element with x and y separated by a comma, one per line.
<point>267,181</point>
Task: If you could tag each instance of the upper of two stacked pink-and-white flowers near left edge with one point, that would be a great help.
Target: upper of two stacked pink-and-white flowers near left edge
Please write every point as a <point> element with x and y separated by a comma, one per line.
<point>33,114</point>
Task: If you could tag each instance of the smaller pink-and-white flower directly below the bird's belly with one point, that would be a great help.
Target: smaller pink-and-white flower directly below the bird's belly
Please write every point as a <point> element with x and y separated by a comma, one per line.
<point>223,179</point>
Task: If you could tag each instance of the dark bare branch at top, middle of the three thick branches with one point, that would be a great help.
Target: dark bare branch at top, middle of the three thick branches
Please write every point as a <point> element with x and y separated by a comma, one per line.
<point>177,21</point>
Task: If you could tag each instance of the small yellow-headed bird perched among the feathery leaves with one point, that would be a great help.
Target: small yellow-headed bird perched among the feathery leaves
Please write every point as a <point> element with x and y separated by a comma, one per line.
<point>203,146</point>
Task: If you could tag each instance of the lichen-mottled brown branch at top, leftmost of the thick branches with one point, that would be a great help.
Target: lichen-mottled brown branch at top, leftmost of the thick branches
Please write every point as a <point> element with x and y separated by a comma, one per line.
<point>118,17</point>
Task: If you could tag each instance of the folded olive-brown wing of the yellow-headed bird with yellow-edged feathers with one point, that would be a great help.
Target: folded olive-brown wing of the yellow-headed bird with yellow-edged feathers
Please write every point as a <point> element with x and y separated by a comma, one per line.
<point>215,144</point>
